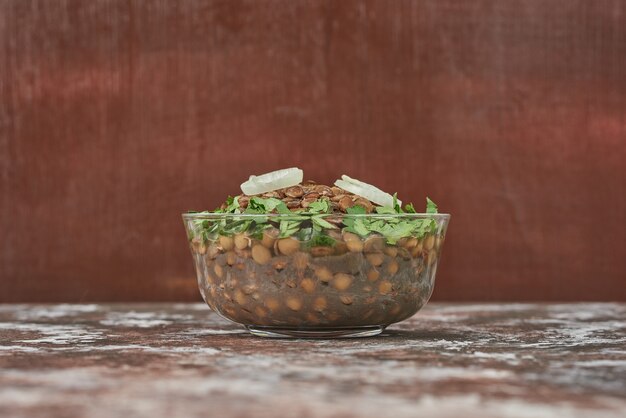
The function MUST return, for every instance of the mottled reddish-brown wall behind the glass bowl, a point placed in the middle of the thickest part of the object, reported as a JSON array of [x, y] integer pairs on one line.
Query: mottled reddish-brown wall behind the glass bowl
[[116, 116]]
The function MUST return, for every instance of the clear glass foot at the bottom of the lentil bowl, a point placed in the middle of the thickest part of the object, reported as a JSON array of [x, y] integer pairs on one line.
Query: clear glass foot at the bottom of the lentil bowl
[[275, 332]]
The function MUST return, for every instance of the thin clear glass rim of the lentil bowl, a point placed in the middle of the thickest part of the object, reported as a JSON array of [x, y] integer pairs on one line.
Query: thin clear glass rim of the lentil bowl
[[204, 215]]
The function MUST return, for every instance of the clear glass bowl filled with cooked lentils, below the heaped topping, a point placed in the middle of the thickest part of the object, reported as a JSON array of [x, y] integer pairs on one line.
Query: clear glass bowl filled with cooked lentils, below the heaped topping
[[318, 282]]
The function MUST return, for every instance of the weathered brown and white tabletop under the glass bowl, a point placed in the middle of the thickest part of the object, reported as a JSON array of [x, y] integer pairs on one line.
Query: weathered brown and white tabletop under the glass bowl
[[450, 360]]
